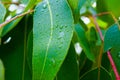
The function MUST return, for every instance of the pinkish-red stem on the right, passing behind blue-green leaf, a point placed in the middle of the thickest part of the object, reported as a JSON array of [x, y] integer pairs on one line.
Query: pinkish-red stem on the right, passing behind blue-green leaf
[[108, 52]]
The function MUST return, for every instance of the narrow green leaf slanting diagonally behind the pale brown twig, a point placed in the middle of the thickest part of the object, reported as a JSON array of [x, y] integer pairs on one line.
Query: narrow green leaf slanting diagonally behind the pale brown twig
[[12, 24]]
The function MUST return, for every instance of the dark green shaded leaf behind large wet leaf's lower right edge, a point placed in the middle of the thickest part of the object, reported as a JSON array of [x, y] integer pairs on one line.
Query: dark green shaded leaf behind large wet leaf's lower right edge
[[69, 69]]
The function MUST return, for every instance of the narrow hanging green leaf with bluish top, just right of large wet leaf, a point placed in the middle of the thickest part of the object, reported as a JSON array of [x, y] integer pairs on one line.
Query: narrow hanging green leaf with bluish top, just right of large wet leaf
[[83, 42]]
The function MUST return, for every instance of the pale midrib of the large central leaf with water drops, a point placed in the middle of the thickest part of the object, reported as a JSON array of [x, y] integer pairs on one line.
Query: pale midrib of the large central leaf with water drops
[[51, 33]]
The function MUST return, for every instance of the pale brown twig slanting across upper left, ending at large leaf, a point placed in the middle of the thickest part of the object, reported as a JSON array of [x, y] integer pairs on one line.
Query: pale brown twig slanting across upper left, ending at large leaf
[[14, 18]]
